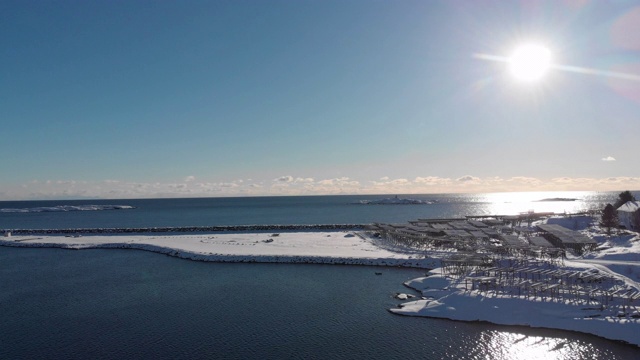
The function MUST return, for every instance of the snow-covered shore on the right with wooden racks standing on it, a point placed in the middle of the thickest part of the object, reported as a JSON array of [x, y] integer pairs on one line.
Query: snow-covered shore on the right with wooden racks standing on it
[[596, 293]]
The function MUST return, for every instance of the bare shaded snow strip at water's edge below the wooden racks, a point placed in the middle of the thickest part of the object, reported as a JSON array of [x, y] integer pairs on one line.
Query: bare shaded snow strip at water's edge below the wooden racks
[[449, 300]]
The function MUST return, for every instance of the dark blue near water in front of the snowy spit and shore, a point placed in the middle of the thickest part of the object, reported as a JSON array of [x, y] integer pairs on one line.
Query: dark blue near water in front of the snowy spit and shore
[[132, 304]]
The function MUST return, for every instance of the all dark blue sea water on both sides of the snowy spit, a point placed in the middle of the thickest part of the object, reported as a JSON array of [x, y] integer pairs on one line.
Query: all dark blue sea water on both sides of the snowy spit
[[118, 304]]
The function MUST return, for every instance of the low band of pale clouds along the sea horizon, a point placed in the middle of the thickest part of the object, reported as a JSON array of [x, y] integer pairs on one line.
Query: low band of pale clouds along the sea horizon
[[288, 185]]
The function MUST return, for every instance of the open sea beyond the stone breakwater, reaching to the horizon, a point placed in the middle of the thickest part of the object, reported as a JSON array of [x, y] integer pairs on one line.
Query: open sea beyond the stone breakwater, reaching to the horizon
[[286, 210]]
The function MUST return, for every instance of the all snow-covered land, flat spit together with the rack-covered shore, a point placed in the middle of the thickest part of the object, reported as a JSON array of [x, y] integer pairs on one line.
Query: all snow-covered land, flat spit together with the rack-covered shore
[[597, 292]]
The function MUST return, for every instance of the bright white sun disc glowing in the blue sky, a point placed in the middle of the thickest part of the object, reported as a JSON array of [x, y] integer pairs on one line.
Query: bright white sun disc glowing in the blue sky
[[530, 62]]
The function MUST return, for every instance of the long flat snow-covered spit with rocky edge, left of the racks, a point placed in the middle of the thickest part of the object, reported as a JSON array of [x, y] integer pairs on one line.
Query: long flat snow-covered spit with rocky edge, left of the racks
[[302, 247]]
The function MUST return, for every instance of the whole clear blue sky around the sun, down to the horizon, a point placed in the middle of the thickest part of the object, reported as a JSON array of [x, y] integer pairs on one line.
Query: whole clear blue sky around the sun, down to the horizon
[[121, 99]]
